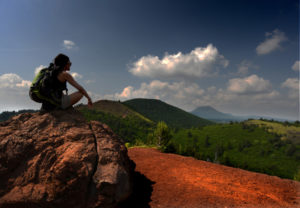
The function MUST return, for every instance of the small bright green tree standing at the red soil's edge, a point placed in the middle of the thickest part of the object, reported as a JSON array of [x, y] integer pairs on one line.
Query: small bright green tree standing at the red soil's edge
[[162, 134]]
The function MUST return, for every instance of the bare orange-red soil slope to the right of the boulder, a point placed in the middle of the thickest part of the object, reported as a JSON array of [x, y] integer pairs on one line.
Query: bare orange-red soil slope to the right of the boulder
[[170, 181]]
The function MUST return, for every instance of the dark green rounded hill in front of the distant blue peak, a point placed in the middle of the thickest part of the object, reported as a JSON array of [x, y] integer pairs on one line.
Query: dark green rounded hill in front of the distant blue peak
[[157, 110]]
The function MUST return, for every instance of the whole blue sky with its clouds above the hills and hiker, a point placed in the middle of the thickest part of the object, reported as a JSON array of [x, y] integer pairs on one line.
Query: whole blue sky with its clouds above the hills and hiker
[[241, 57]]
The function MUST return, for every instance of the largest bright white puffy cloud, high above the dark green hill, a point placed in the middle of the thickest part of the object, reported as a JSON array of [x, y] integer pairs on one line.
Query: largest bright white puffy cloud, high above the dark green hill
[[200, 62]]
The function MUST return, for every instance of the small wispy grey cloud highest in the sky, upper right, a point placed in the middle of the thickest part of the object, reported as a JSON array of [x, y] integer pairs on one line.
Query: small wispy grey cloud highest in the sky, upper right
[[271, 43]]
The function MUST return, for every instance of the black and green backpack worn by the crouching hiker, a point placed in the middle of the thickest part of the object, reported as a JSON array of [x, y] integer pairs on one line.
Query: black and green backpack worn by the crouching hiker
[[43, 87]]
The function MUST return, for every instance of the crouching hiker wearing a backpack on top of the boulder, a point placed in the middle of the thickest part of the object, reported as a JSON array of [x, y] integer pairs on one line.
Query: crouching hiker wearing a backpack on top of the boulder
[[48, 86]]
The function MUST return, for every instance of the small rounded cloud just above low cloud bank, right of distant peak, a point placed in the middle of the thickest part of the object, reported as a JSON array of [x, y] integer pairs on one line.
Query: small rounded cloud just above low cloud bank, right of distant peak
[[248, 85]]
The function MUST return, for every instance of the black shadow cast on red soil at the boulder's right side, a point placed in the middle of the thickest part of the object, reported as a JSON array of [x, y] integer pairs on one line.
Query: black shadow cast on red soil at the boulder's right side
[[141, 195]]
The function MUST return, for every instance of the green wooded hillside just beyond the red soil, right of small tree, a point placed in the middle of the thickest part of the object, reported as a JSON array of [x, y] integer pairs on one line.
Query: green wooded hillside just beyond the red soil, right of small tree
[[243, 145]]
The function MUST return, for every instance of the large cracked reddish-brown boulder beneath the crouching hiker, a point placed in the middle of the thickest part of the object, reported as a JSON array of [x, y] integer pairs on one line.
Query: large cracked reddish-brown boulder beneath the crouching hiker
[[58, 159]]
